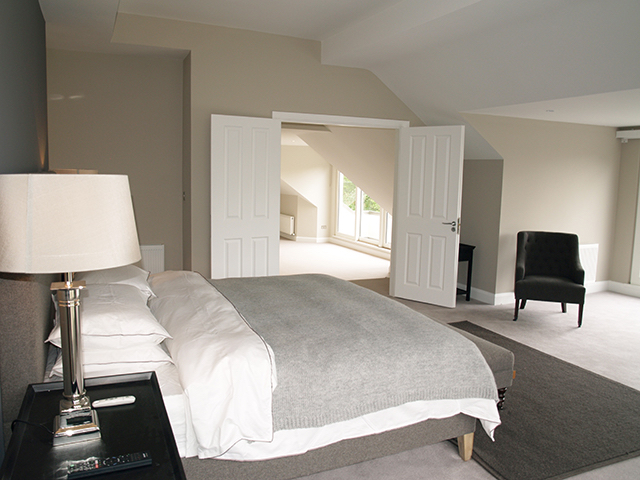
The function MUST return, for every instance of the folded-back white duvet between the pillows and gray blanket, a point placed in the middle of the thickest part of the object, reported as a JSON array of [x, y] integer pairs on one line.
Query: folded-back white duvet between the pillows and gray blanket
[[225, 368]]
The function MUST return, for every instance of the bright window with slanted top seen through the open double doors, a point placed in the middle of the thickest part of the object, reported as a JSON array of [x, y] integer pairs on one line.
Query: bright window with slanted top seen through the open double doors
[[359, 217]]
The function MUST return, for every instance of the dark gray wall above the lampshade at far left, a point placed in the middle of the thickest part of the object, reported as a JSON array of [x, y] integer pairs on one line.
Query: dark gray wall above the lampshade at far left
[[23, 87]]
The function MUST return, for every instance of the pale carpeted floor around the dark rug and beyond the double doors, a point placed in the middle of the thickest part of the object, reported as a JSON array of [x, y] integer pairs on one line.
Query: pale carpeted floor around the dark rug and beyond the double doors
[[608, 343]]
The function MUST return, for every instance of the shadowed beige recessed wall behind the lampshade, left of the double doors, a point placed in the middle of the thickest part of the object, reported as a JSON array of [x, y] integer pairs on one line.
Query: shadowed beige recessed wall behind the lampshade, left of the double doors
[[122, 114]]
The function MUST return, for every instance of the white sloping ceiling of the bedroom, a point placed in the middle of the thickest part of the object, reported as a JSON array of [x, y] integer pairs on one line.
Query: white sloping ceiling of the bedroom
[[572, 61]]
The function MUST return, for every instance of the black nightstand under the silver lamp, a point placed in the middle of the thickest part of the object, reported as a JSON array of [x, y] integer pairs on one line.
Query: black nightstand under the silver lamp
[[141, 426]]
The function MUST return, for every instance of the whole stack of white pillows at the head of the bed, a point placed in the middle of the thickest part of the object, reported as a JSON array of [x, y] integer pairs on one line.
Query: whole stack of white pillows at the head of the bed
[[119, 332]]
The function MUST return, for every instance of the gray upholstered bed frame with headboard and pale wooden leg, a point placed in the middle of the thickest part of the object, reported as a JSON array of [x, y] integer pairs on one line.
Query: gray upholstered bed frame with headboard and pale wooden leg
[[26, 320]]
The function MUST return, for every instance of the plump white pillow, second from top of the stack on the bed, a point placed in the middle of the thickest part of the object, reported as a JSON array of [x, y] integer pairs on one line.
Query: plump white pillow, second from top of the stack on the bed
[[115, 316]]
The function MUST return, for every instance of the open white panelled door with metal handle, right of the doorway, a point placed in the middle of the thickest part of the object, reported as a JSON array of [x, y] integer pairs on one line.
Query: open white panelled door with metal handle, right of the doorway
[[426, 217]]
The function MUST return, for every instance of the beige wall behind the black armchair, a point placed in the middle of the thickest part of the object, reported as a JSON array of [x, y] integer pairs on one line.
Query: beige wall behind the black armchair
[[557, 177]]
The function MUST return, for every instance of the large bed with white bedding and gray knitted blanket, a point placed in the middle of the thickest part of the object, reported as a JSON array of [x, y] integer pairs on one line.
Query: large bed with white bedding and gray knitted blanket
[[244, 326]]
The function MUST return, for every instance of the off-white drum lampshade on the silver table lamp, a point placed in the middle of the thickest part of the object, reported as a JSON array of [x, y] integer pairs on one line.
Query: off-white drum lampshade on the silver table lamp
[[66, 223]]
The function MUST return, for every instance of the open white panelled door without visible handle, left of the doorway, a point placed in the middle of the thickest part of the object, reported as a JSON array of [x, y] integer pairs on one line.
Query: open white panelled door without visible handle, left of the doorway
[[245, 196]]
